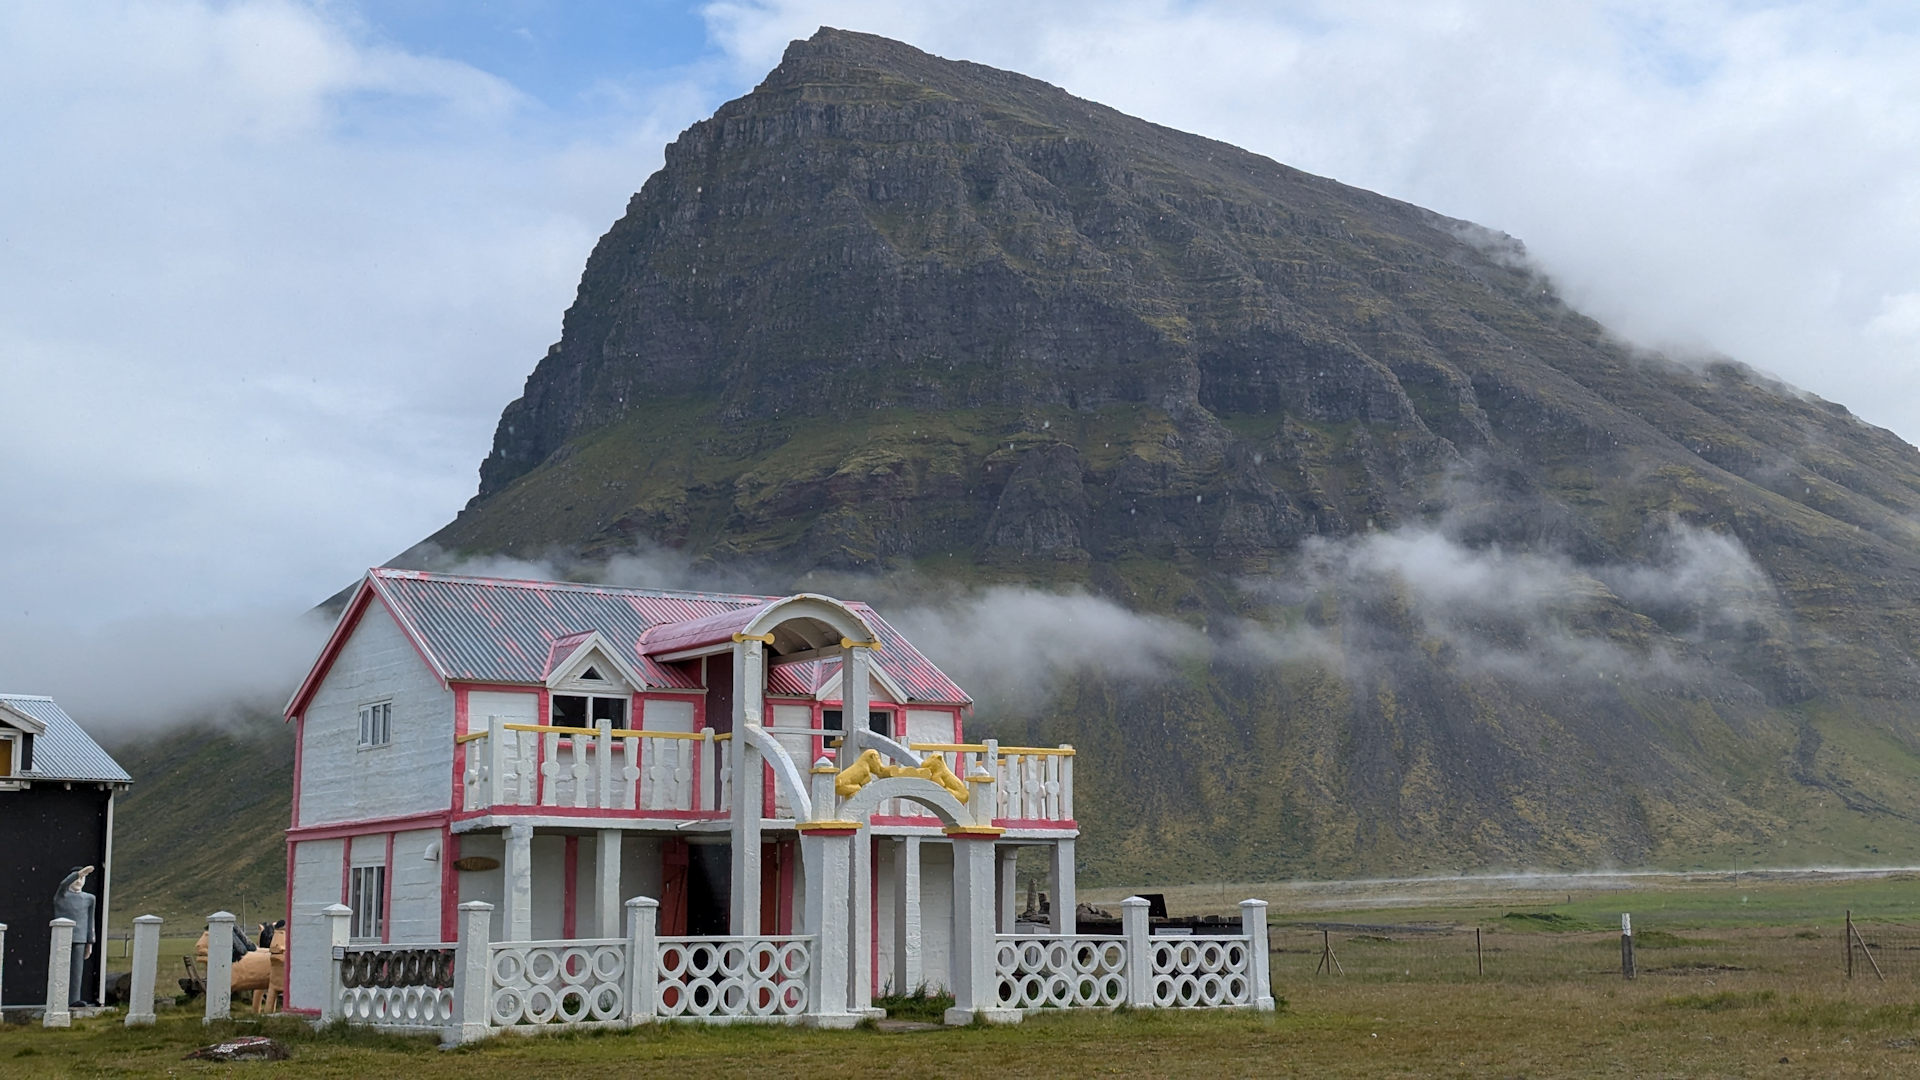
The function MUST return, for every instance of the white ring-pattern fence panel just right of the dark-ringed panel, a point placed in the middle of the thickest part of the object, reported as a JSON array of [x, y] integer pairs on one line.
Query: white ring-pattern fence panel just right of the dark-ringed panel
[[558, 983]]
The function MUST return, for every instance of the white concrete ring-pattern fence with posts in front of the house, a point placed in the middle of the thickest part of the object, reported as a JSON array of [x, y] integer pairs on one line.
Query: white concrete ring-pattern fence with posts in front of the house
[[475, 987]]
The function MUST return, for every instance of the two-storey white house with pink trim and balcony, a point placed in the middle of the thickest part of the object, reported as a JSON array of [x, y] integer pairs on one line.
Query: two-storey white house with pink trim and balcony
[[556, 749]]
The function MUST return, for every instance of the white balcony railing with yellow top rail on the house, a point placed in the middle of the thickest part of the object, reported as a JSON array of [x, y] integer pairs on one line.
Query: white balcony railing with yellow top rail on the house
[[527, 770]]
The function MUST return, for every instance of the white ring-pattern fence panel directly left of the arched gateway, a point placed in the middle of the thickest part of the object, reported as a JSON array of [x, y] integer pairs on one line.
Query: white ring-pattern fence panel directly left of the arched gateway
[[734, 977]]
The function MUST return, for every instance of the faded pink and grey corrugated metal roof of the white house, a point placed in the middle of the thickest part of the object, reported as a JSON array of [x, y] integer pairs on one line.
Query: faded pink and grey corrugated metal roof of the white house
[[504, 631]]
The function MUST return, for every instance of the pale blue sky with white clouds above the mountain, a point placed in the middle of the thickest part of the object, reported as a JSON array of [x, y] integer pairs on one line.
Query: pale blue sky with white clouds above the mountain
[[270, 268]]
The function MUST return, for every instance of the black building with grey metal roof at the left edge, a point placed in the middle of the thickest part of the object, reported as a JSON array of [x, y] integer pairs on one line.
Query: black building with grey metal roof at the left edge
[[57, 814]]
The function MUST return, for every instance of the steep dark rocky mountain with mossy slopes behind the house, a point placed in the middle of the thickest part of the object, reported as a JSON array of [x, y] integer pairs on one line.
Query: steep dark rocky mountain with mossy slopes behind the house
[[894, 312]]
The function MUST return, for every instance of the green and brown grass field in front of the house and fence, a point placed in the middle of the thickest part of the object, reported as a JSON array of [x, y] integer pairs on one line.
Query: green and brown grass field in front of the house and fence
[[1737, 979]]
